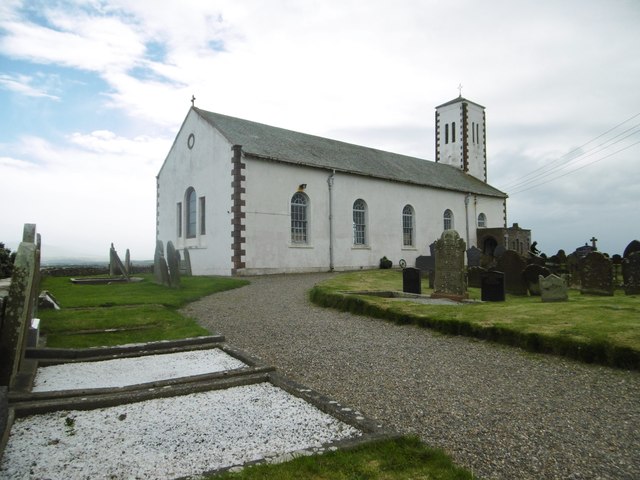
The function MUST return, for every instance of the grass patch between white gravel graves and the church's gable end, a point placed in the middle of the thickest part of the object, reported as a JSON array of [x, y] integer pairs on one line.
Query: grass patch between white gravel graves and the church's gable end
[[121, 313]]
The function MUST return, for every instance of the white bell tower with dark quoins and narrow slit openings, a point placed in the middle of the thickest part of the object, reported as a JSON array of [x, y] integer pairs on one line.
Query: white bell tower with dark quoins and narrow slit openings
[[461, 136]]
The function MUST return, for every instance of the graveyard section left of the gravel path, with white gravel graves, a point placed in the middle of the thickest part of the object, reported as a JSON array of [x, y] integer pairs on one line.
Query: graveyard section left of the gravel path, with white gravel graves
[[105, 364]]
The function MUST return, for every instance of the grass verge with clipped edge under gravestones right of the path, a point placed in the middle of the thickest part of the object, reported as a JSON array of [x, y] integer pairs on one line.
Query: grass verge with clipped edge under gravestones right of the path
[[593, 329]]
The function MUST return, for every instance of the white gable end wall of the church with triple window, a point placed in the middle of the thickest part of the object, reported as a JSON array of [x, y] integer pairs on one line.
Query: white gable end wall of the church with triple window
[[205, 167]]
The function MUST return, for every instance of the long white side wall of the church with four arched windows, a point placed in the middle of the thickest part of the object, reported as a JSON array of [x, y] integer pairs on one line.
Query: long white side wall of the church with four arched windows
[[270, 186]]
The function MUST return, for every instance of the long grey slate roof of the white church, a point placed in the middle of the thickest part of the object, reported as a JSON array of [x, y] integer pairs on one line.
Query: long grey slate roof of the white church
[[278, 144]]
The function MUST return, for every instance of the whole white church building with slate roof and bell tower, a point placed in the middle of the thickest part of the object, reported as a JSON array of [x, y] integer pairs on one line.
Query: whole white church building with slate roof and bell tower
[[244, 198]]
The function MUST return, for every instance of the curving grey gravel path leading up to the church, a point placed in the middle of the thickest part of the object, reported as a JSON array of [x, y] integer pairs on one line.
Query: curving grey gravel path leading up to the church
[[501, 412]]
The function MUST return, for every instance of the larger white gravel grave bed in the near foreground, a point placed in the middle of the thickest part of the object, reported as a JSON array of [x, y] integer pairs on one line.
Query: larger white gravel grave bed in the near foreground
[[170, 437]]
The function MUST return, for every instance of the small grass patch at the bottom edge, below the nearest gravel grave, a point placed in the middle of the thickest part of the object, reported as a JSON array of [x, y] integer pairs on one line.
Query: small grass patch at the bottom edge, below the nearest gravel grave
[[397, 459]]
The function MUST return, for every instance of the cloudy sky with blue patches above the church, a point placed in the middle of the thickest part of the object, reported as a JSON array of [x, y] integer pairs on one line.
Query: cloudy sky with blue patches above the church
[[92, 93]]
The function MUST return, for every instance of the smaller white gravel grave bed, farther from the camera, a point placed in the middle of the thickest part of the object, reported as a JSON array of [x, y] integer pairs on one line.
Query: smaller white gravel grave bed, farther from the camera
[[132, 371]]
